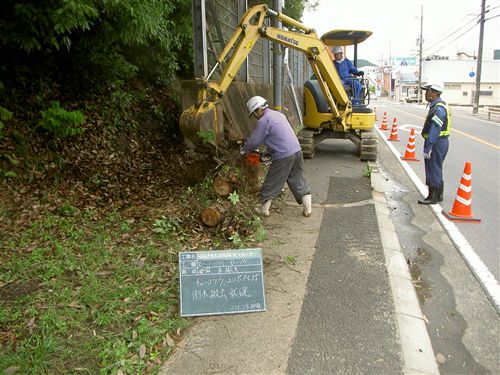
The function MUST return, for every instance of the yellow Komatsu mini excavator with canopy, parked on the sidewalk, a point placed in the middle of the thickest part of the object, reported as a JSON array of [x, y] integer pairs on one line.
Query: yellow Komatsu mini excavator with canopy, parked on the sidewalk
[[329, 112]]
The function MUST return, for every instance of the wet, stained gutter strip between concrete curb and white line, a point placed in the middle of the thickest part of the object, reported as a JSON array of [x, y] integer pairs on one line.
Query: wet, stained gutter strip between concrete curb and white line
[[462, 323]]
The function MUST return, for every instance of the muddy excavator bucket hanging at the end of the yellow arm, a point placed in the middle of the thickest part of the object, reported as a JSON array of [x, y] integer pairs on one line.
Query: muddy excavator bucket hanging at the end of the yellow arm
[[203, 126]]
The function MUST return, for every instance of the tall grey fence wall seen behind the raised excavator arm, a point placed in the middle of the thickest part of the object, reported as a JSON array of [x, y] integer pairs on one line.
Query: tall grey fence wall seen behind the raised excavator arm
[[214, 21]]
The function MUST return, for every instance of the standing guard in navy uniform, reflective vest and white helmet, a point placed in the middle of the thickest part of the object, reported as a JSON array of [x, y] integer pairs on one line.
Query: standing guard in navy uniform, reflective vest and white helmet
[[435, 132]]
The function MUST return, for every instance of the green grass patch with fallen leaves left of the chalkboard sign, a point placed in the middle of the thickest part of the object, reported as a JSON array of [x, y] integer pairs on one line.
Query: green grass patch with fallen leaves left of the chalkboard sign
[[86, 294]]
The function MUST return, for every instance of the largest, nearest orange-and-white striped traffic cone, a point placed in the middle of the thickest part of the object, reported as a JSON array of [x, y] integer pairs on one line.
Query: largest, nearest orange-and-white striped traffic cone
[[462, 207]]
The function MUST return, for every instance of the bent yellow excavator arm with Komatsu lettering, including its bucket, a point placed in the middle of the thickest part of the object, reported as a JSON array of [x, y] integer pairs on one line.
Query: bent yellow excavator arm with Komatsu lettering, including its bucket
[[206, 115]]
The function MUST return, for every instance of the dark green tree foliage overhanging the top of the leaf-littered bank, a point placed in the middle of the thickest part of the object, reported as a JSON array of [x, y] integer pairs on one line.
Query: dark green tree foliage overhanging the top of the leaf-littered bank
[[90, 44]]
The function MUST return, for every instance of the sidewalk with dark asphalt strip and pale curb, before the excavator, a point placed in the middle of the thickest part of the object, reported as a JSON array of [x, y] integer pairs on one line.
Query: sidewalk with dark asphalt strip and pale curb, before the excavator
[[347, 305]]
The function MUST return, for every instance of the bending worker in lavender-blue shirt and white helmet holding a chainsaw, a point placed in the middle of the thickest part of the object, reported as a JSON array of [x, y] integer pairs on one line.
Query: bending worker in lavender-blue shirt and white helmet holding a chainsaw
[[287, 166]]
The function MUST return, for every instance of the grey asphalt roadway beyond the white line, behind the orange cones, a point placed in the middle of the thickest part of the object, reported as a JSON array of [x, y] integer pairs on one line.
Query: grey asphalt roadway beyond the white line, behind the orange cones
[[473, 139]]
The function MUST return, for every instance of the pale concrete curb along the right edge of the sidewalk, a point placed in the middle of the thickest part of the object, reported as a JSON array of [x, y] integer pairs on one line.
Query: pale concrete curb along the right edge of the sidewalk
[[416, 345]]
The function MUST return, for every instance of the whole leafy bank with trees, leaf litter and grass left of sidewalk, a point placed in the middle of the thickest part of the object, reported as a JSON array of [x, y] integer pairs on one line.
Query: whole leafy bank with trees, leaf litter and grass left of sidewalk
[[97, 193]]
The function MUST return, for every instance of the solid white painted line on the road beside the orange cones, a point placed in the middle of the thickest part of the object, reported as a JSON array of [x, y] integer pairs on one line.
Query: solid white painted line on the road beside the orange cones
[[480, 271]]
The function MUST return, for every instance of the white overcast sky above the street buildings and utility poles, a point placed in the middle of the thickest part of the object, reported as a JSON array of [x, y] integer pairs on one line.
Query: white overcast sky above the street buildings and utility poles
[[396, 26]]
